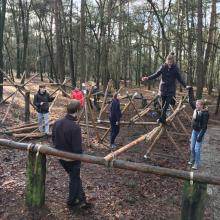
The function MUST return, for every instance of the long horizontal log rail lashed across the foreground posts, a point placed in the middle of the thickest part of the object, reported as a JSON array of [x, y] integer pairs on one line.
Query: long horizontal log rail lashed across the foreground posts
[[121, 164]]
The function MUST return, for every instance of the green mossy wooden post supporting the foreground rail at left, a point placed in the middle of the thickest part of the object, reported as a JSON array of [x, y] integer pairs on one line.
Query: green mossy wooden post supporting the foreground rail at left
[[36, 175]]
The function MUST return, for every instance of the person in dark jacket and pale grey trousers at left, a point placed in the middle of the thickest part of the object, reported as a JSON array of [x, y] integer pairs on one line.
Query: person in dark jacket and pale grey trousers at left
[[41, 101]]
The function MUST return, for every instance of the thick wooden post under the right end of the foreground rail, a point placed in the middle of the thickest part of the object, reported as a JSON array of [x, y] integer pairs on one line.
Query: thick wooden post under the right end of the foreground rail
[[193, 201]]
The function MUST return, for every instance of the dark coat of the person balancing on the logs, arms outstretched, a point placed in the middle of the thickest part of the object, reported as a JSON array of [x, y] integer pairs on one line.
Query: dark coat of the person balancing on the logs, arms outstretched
[[168, 79]]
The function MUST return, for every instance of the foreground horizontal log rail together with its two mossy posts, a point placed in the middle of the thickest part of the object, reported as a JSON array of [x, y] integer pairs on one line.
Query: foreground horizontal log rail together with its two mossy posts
[[193, 194]]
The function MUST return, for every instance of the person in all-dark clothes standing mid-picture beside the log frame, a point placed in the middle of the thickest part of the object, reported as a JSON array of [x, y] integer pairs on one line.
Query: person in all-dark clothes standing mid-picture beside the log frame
[[114, 117]]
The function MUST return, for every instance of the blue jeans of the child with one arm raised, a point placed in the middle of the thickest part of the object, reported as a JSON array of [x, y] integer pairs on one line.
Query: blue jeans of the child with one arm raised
[[195, 147]]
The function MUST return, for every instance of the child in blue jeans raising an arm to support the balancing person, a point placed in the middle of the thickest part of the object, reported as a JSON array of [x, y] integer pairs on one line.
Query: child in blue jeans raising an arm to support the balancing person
[[199, 127]]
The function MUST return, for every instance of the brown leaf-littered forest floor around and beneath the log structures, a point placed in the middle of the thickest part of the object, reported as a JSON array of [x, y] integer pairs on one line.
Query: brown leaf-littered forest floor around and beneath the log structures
[[114, 193]]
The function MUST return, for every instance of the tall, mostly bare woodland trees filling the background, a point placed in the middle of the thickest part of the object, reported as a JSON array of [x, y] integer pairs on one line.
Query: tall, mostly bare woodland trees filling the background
[[99, 40]]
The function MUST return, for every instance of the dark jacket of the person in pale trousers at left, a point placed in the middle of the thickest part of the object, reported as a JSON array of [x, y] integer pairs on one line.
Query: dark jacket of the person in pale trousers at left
[[45, 98]]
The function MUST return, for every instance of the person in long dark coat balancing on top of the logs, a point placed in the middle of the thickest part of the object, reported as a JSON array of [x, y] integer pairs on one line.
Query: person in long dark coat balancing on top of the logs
[[167, 90]]
